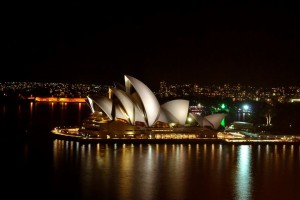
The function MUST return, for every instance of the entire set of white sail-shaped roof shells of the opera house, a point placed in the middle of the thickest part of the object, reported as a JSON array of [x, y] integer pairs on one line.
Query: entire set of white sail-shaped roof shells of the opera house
[[141, 105]]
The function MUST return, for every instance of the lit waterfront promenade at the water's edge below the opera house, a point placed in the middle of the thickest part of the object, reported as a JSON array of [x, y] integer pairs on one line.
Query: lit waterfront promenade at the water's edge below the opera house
[[73, 133]]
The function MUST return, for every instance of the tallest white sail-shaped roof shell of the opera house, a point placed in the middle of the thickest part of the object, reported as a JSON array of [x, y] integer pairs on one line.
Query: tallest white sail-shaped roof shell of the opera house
[[150, 103]]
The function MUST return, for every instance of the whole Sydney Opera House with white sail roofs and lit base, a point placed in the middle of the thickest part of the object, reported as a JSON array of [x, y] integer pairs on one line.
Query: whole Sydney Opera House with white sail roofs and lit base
[[133, 111]]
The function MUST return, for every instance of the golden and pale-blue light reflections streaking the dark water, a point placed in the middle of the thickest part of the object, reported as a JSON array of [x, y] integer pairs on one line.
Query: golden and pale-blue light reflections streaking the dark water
[[179, 171]]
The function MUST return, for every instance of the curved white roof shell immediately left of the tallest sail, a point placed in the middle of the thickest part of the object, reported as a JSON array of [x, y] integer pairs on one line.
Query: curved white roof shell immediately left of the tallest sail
[[127, 104]]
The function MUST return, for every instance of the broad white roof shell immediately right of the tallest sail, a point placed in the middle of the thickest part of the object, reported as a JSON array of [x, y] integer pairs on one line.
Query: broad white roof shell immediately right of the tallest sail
[[178, 108]]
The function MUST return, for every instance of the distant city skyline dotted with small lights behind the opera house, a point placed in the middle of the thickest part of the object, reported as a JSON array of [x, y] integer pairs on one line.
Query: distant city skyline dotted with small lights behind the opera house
[[235, 92]]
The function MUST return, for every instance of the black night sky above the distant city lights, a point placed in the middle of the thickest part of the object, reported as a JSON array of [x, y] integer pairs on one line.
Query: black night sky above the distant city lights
[[206, 43]]
